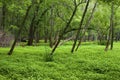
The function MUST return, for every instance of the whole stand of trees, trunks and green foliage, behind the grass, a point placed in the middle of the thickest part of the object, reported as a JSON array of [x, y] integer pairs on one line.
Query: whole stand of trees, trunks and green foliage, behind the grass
[[58, 21]]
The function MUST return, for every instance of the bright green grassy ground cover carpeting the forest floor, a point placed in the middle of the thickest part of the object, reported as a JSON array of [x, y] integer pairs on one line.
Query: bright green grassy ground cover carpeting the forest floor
[[90, 62]]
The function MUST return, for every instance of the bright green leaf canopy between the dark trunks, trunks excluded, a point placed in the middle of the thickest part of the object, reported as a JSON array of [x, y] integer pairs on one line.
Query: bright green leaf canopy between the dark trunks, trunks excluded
[[62, 10]]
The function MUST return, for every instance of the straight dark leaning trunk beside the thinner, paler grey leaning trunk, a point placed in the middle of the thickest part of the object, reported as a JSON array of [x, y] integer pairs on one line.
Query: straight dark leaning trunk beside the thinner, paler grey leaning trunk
[[79, 29]]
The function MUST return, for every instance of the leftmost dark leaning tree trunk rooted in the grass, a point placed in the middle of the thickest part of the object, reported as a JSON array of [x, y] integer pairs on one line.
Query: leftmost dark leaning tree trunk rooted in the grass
[[19, 31]]
